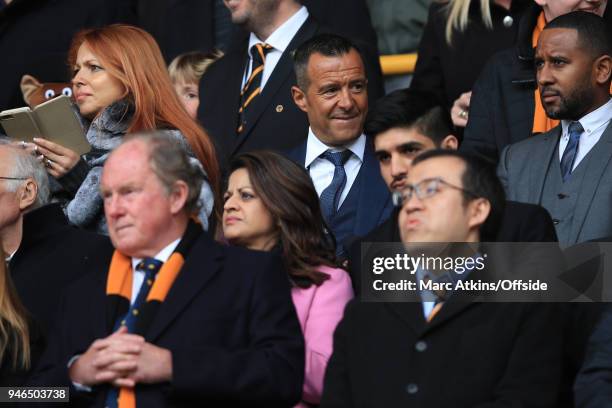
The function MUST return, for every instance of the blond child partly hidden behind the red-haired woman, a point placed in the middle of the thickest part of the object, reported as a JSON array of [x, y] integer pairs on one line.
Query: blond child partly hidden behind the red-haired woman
[[185, 71]]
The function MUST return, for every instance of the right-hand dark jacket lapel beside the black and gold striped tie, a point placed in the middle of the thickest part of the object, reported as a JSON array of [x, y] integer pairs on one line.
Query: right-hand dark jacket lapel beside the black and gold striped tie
[[282, 70]]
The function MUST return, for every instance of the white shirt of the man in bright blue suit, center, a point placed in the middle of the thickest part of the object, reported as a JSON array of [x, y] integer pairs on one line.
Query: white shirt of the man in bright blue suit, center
[[322, 170]]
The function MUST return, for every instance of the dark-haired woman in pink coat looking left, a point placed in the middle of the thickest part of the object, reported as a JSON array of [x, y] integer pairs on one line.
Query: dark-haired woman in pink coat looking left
[[272, 205]]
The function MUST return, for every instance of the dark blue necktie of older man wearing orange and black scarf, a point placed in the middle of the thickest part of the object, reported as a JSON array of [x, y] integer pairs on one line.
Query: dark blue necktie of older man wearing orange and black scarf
[[150, 266]]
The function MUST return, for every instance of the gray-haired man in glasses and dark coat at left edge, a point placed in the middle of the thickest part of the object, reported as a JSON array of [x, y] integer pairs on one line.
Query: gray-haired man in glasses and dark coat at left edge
[[45, 253]]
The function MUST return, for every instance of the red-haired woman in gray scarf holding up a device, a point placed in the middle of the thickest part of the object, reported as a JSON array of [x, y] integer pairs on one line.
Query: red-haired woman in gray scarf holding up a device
[[121, 86]]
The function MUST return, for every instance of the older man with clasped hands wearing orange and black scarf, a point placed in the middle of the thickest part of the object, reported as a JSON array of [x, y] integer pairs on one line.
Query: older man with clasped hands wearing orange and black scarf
[[155, 326]]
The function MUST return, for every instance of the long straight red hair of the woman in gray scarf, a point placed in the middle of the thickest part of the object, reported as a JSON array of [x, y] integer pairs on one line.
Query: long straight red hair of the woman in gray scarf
[[131, 55]]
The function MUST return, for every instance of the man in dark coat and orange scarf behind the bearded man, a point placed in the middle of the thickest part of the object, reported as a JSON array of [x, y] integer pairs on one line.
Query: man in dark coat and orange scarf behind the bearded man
[[503, 104]]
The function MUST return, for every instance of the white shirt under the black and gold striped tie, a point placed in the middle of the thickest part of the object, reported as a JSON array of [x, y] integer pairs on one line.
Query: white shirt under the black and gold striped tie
[[279, 40]]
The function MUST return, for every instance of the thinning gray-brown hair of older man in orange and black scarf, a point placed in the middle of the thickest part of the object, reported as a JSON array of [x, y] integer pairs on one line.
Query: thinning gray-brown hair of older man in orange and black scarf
[[170, 162]]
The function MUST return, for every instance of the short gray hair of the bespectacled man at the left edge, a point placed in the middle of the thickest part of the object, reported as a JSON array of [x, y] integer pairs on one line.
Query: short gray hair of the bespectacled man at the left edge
[[26, 166]]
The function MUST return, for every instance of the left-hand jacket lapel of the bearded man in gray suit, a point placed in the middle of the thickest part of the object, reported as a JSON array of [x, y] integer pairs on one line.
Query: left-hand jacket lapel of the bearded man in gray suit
[[538, 169]]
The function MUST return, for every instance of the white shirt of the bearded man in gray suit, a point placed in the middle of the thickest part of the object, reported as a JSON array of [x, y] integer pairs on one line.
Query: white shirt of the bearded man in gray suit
[[594, 124]]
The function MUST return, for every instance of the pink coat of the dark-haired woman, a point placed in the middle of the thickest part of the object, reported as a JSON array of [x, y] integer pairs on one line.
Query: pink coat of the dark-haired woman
[[319, 309]]
